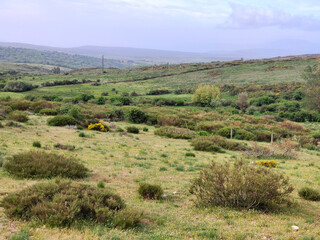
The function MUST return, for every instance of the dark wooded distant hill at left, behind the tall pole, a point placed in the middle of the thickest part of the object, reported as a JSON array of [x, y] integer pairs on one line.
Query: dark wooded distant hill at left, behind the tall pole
[[54, 58]]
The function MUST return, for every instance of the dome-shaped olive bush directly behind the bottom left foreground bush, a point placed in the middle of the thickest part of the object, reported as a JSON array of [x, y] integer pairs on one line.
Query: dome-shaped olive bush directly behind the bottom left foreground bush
[[39, 164]]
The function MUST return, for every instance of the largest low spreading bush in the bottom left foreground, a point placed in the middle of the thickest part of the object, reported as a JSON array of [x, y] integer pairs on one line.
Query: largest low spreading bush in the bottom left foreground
[[62, 203]]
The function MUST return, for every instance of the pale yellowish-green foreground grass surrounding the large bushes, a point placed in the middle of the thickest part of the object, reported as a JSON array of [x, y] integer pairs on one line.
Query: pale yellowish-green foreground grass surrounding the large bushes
[[119, 161]]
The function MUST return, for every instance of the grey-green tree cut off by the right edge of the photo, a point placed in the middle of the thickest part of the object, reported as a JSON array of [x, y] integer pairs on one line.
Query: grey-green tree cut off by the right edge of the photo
[[312, 77]]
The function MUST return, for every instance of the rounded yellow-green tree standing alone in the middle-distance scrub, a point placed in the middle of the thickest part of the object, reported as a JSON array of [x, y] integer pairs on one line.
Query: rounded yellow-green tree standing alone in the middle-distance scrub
[[206, 94]]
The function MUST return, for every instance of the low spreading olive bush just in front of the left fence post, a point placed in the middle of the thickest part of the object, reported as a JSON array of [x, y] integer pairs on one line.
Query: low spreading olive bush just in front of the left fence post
[[215, 143]]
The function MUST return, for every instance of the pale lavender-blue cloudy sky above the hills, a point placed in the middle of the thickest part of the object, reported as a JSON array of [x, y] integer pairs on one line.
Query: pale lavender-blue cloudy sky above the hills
[[184, 25]]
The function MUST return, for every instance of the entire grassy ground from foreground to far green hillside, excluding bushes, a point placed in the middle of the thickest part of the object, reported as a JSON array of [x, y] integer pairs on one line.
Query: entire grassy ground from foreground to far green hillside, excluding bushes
[[122, 160]]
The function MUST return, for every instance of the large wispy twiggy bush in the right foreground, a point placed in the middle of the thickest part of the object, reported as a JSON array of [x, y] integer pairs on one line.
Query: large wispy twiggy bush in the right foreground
[[240, 186]]
